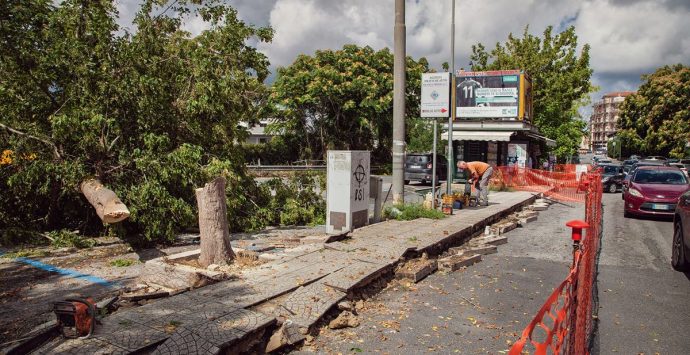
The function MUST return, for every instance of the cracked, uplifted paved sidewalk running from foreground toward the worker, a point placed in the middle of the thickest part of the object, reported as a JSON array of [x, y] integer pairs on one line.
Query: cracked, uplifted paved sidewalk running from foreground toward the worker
[[301, 286]]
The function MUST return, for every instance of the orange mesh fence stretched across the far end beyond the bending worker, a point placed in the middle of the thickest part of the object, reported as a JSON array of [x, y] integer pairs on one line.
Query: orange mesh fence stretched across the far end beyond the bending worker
[[565, 186]]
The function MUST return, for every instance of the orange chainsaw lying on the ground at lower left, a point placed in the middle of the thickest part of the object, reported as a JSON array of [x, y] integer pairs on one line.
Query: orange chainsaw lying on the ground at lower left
[[76, 317]]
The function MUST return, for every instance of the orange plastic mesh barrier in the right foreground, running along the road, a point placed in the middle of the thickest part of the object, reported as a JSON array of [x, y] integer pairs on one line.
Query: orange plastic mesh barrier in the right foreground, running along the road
[[564, 324]]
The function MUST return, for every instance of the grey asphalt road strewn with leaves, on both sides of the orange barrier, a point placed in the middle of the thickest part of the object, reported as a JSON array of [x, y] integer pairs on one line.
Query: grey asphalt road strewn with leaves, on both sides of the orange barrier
[[644, 304]]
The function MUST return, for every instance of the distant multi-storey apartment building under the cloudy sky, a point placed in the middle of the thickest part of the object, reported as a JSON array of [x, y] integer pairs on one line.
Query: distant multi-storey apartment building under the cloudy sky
[[604, 120]]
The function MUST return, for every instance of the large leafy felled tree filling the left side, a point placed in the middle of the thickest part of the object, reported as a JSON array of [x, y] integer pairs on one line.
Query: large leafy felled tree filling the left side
[[152, 114]]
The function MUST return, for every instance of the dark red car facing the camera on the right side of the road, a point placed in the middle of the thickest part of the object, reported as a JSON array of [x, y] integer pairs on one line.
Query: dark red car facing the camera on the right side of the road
[[654, 191]]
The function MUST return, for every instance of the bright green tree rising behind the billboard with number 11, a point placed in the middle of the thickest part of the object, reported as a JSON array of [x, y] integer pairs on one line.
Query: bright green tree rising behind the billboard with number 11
[[560, 79]]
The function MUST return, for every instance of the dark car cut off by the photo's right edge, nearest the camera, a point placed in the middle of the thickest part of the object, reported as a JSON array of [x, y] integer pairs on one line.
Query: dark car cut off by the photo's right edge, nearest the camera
[[680, 250]]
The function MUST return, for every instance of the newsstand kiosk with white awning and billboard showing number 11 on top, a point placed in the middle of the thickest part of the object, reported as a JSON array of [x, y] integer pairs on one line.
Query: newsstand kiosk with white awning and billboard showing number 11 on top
[[493, 120]]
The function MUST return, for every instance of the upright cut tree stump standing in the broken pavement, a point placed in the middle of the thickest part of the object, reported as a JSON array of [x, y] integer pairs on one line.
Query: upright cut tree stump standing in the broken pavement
[[213, 224]]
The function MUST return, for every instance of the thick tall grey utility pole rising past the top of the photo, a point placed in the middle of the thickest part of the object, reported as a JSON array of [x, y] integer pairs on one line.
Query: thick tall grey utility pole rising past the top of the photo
[[399, 102]]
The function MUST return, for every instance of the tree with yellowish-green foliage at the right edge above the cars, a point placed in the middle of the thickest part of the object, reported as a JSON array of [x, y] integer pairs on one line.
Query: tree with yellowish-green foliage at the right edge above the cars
[[656, 119]]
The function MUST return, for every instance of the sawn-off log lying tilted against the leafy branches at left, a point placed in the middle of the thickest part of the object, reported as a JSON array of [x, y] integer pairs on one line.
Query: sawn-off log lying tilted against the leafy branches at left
[[108, 206]]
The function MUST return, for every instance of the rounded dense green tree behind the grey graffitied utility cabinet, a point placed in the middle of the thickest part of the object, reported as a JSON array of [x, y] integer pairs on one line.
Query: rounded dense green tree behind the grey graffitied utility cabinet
[[343, 99]]
